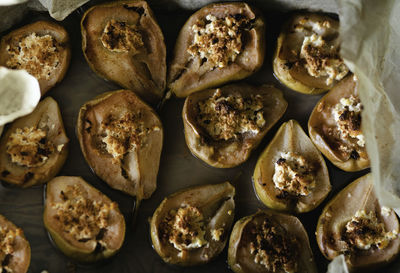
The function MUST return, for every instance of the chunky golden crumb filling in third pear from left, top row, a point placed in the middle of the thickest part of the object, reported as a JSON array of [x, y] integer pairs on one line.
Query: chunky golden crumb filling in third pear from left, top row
[[218, 41]]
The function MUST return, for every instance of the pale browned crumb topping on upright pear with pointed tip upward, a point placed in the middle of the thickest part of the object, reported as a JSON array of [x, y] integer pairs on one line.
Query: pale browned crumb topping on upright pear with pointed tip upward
[[294, 174]]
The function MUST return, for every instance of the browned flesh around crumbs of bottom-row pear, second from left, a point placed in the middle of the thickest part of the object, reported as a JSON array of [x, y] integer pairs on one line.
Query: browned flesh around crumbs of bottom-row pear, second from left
[[84, 252]]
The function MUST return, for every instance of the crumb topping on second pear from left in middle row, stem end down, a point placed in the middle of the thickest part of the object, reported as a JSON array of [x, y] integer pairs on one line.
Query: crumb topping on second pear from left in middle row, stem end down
[[123, 134]]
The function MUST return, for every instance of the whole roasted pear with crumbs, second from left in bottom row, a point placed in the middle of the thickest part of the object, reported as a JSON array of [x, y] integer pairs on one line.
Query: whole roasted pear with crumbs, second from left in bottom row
[[84, 223]]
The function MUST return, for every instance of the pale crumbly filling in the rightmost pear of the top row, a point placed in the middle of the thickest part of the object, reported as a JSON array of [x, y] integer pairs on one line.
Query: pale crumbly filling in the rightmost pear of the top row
[[318, 53]]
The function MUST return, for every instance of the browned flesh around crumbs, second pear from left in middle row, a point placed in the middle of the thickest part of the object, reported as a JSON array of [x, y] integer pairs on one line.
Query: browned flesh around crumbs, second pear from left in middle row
[[146, 159]]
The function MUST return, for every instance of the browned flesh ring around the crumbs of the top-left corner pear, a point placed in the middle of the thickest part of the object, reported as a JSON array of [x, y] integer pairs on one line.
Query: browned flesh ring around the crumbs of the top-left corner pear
[[41, 28]]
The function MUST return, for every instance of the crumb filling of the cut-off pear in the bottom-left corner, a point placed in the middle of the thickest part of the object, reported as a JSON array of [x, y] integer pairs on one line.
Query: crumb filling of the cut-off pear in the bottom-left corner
[[7, 243]]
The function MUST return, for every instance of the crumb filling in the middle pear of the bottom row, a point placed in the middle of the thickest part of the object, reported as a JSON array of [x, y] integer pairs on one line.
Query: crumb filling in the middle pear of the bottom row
[[185, 228]]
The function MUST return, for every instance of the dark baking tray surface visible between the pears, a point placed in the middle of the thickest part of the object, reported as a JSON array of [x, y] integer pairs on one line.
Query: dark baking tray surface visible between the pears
[[178, 167]]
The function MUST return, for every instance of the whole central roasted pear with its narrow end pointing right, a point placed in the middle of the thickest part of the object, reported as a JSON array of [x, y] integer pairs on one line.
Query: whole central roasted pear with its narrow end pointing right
[[223, 125]]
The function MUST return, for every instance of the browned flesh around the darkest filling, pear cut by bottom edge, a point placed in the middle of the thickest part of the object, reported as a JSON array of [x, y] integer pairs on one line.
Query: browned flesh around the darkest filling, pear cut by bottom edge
[[241, 260]]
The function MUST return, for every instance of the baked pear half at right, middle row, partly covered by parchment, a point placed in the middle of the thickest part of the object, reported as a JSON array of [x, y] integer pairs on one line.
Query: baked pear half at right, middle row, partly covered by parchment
[[335, 127]]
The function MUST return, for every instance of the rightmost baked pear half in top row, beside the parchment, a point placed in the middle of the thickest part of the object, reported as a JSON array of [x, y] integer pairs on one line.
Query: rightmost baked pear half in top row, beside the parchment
[[307, 57]]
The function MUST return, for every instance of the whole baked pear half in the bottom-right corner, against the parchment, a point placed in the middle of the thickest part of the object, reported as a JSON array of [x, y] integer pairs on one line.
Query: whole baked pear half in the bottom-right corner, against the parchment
[[354, 224]]
